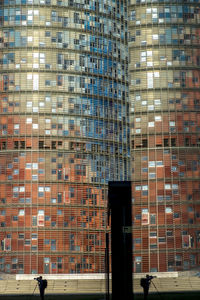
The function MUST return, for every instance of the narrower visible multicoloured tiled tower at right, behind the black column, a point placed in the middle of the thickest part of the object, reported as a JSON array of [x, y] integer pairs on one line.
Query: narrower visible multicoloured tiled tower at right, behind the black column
[[165, 133]]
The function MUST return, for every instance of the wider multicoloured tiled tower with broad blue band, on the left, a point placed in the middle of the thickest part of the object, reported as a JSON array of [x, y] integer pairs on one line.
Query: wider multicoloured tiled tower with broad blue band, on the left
[[63, 130]]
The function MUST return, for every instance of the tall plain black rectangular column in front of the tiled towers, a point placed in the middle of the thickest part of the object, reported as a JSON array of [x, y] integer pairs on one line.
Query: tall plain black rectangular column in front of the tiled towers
[[119, 197]]
